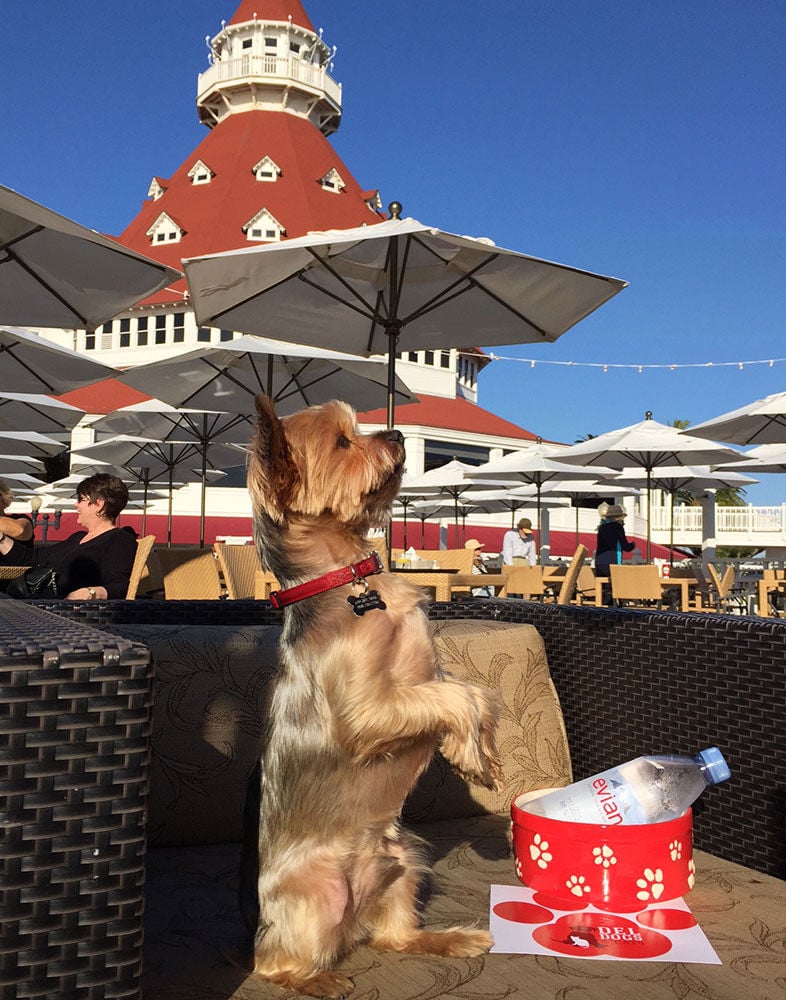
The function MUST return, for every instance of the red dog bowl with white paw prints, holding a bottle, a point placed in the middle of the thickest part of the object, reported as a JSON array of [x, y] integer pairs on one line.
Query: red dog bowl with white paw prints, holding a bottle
[[614, 867]]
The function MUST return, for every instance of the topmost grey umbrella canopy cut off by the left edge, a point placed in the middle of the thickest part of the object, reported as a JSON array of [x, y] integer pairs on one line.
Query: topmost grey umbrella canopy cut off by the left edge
[[56, 273]]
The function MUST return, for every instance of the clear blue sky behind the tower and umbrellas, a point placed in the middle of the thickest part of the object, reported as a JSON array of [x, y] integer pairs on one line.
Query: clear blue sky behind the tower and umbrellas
[[644, 141]]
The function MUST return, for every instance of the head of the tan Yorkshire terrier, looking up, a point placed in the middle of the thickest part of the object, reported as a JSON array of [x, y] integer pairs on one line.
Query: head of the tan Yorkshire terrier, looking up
[[317, 463]]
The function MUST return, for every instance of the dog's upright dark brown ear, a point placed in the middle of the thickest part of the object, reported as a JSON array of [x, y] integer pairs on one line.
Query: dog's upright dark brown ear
[[272, 475]]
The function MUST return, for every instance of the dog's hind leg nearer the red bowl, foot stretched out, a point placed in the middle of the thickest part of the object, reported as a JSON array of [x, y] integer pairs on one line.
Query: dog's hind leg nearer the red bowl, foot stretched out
[[395, 923]]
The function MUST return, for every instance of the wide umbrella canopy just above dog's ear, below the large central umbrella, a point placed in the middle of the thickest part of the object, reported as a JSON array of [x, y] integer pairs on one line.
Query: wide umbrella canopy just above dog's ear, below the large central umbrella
[[229, 376]]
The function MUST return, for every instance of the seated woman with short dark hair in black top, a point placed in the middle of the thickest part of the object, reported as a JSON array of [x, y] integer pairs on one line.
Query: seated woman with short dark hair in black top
[[95, 563]]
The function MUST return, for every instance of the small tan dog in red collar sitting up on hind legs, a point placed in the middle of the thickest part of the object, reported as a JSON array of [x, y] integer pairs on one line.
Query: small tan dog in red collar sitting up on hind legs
[[358, 710]]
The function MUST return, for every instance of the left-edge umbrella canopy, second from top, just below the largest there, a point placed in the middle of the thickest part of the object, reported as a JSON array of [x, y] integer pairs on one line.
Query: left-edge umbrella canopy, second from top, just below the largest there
[[30, 363]]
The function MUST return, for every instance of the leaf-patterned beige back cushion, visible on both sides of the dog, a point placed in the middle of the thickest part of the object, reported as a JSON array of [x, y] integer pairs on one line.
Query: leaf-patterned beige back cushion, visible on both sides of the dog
[[211, 689]]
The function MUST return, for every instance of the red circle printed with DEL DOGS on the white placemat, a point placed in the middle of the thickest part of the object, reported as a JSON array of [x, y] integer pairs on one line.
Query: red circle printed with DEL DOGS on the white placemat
[[601, 934]]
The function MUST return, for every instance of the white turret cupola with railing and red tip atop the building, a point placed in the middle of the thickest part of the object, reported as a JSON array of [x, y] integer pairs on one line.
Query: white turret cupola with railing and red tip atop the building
[[269, 58]]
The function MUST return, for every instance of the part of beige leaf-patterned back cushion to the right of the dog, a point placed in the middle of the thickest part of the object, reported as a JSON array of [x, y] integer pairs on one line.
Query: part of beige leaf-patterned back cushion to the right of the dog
[[531, 736]]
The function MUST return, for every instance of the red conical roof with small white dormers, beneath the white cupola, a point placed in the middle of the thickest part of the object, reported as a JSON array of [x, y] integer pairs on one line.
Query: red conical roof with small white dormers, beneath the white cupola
[[212, 215]]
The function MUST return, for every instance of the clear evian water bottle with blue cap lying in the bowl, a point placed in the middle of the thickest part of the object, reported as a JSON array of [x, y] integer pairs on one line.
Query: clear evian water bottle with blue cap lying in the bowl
[[644, 790]]
